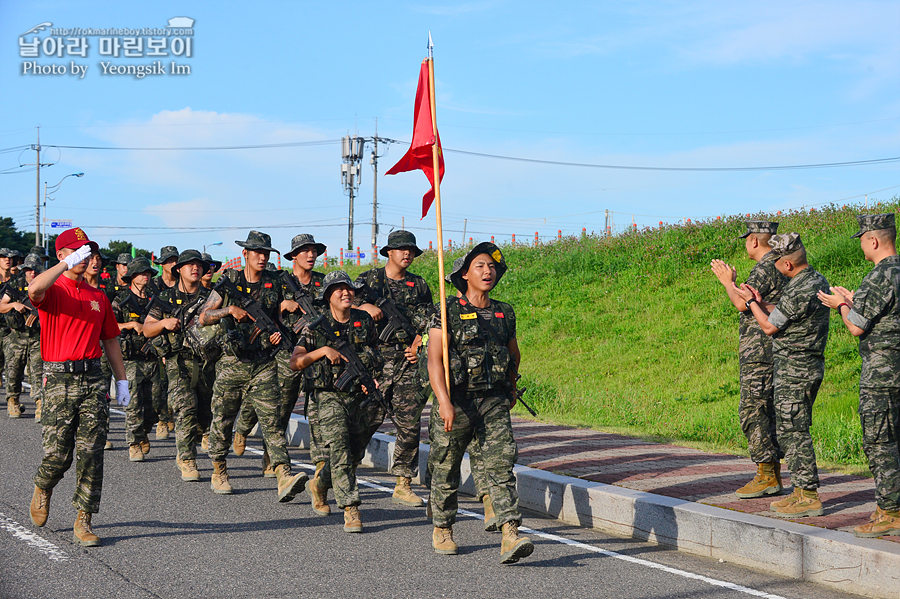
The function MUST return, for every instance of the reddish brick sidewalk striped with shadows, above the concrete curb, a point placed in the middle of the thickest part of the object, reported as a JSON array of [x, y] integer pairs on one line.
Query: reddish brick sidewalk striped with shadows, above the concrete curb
[[674, 471]]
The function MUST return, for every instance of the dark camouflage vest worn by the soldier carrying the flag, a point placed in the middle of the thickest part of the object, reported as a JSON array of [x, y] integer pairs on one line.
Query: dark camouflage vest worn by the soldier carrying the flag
[[484, 358]]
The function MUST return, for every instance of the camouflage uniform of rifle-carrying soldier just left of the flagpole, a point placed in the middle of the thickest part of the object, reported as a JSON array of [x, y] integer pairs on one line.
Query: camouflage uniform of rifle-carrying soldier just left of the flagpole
[[400, 383]]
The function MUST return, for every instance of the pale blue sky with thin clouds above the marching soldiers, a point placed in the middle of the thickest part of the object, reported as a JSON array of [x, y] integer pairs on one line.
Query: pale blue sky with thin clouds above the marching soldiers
[[661, 84]]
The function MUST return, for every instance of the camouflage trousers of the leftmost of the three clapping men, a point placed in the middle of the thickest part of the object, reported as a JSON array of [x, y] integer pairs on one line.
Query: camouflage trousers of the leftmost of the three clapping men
[[756, 413]]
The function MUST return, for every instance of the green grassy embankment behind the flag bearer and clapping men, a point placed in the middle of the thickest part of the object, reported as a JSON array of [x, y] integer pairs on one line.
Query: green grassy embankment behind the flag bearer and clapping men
[[634, 334]]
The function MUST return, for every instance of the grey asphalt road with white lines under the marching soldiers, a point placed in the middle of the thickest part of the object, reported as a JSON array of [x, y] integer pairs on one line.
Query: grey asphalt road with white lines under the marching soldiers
[[166, 538]]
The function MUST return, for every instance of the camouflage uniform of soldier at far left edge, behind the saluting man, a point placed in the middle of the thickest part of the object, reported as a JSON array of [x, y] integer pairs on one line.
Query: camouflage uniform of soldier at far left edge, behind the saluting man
[[22, 345]]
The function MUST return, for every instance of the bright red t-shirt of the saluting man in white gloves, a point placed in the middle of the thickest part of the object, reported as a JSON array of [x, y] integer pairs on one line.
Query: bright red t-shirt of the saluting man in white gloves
[[75, 317]]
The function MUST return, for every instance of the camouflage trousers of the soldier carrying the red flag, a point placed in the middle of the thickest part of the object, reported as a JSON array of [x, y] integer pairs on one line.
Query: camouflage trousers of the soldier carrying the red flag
[[485, 421]]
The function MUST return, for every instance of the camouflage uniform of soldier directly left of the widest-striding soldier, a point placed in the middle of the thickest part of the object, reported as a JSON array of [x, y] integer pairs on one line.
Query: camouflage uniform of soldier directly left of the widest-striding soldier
[[190, 378]]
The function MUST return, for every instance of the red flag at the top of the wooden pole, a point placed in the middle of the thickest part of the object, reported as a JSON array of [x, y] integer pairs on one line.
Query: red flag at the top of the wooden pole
[[419, 154]]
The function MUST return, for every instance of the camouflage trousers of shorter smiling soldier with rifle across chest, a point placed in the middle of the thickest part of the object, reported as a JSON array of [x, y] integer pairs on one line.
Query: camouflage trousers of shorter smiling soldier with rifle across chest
[[343, 428]]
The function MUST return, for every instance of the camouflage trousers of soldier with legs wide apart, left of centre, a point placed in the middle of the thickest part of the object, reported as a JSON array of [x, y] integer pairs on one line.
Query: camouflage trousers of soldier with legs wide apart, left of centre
[[255, 383]]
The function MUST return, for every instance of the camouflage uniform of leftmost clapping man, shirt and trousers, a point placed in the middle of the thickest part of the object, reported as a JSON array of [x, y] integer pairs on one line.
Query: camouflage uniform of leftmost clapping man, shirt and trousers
[[757, 410]]
